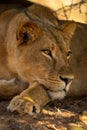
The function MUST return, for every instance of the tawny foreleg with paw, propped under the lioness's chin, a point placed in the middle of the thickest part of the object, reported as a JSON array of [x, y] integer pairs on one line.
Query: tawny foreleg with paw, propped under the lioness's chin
[[30, 100]]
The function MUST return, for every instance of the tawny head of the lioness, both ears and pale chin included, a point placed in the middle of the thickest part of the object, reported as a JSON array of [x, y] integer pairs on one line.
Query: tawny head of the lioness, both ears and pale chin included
[[40, 53]]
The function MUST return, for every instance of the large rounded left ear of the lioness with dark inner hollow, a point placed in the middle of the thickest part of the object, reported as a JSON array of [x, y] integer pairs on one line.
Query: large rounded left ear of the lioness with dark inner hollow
[[27, 32]]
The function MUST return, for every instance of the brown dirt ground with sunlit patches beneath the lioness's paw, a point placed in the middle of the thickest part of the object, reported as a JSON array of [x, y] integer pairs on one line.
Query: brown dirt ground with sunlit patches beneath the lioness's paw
[[67, 114]]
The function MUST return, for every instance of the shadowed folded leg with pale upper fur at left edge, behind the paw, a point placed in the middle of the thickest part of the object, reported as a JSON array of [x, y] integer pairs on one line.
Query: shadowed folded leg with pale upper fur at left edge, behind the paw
[[12, 87]]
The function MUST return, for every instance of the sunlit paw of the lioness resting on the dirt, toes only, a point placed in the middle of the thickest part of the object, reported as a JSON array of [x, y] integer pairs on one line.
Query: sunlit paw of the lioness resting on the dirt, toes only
[[21, 105]]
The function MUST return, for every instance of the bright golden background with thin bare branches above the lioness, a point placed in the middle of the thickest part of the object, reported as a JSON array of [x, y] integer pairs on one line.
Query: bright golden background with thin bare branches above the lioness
[[66, 9]]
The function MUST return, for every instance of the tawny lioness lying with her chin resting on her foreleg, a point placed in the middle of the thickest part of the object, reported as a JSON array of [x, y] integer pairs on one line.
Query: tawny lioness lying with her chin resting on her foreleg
[[34, 52]]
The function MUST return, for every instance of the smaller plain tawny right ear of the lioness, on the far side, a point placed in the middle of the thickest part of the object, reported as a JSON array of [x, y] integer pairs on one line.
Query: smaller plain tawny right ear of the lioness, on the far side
[[68, 29]]
